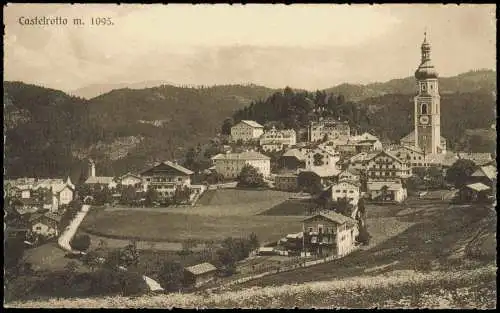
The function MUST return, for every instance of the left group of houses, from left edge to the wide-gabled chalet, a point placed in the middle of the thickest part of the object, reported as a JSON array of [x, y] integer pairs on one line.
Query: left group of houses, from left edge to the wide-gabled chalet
[[45, 200]]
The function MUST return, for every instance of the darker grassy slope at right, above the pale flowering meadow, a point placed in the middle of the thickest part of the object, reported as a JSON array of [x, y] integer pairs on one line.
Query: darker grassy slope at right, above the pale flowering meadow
[[427, 238]]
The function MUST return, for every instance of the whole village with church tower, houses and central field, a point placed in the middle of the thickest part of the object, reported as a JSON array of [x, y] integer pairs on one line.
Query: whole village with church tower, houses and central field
[[332, 176]]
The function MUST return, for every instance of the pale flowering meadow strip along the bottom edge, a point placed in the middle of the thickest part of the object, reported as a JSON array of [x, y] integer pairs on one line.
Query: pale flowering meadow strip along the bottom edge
[[403, 289]]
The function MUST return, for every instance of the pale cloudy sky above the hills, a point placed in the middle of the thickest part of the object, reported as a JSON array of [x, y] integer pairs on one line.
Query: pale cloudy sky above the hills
[[302, 46]]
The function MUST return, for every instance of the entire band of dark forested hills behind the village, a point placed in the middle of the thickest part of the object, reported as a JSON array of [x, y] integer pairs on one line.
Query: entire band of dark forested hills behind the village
[[49, 133]]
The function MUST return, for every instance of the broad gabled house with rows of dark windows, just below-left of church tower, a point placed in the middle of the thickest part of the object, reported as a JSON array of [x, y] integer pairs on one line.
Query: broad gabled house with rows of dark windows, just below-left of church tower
[[386, 167]]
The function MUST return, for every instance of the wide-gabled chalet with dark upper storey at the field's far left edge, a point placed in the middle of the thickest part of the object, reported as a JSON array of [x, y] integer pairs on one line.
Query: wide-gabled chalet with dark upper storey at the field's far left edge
[[166, 177]]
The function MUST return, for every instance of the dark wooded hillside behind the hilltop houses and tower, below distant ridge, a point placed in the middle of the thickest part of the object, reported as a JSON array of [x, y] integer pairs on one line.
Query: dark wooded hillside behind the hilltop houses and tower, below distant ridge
[[389, 116]]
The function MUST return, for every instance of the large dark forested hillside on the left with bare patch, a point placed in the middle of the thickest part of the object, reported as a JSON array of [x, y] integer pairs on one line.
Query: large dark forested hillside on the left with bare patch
[[48, 131]]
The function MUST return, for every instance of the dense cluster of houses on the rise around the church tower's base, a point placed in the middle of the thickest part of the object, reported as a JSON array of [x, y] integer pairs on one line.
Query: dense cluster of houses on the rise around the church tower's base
[[335, 159]]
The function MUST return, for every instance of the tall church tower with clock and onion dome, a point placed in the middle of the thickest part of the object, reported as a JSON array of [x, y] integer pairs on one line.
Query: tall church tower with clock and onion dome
[[427, 104]]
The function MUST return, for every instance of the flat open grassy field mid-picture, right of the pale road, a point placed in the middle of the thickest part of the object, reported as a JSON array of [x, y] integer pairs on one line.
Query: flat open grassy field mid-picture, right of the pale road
[[174, 227]]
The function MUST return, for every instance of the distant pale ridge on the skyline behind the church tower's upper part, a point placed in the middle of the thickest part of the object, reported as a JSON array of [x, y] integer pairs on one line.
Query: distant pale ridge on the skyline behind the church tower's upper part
[[467, 82]]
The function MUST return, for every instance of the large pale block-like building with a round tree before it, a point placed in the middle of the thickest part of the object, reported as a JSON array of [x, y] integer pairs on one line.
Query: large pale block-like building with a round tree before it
[[231, 164]]
